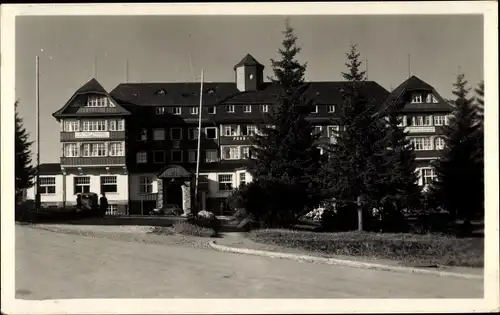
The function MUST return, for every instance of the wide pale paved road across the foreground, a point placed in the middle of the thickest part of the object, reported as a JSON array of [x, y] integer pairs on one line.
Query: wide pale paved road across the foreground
[[57, 266]]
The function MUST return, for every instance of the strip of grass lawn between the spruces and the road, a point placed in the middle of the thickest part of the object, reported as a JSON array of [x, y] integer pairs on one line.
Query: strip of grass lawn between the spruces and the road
[[409, 249]]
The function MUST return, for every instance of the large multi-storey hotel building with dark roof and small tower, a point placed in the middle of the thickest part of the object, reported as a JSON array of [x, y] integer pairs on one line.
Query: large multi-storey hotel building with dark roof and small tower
[[138, 143]]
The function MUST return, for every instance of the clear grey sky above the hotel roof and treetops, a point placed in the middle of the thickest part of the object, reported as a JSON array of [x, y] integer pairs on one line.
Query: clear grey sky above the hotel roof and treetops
[[176, 48]]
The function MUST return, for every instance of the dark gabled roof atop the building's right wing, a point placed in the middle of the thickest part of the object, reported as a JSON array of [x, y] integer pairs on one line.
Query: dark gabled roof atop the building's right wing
[[416, 84]]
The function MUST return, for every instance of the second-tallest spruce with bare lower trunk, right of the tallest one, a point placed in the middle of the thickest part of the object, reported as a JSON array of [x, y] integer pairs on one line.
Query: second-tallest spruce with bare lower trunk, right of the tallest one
[[356, 161]]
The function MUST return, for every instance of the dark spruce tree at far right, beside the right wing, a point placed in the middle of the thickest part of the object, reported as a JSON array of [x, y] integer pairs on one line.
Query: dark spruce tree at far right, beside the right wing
[[459, 185]]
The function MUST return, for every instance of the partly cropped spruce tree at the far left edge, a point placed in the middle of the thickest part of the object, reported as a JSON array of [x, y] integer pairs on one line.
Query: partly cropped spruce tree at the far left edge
[[24, 170]]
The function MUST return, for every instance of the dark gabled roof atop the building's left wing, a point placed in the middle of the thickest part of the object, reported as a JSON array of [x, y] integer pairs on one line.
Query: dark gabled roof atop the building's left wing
[[91, 87]]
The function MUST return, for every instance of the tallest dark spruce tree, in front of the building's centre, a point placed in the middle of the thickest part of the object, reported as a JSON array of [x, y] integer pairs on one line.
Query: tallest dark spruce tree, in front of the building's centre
[[285, 155]]
